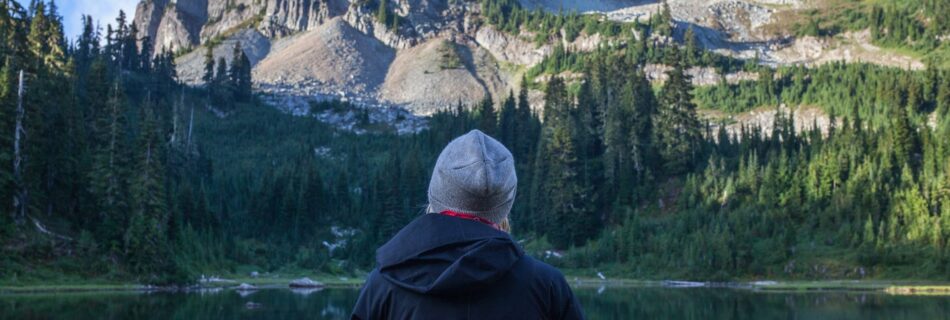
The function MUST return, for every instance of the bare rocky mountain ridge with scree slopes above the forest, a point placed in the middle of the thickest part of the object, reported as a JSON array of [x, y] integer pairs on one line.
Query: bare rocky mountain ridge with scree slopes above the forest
[[312, 50]]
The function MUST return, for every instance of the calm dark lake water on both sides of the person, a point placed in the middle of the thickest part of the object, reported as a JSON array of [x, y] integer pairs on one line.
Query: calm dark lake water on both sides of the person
[[608, 303]]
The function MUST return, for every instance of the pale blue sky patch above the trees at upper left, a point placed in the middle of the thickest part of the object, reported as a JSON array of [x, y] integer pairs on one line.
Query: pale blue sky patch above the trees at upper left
[[102, 11]]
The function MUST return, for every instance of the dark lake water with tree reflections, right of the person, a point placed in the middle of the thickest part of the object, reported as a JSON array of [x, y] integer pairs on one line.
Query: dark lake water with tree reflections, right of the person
[[722, 303]]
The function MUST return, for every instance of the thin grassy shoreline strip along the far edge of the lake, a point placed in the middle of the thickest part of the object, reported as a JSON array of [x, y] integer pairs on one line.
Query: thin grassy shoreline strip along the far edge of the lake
[[895, 287]]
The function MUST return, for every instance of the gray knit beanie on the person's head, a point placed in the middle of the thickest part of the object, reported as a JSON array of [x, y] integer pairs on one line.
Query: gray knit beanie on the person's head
[[475, 174]]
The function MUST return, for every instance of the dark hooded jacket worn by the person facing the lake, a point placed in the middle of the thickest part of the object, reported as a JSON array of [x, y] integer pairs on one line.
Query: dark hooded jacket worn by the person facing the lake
[[441, 267]]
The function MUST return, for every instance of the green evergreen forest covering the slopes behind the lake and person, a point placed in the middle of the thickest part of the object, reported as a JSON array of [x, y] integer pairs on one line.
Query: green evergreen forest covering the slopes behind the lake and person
[[113, 169]]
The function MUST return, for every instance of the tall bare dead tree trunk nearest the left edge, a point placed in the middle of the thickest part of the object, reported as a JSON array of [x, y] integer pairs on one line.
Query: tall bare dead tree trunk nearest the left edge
[[21, 195]]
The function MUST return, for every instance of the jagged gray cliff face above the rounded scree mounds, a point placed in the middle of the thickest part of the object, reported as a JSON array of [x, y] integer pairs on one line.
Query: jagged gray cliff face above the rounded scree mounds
[[184, 24]]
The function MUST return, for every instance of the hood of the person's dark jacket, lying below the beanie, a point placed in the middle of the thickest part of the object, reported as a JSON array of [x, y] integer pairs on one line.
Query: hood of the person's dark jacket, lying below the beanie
[[442, 255]]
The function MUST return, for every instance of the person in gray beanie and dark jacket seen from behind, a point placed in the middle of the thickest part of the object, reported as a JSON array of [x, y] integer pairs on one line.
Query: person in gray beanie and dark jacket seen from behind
[[458, 261]]
